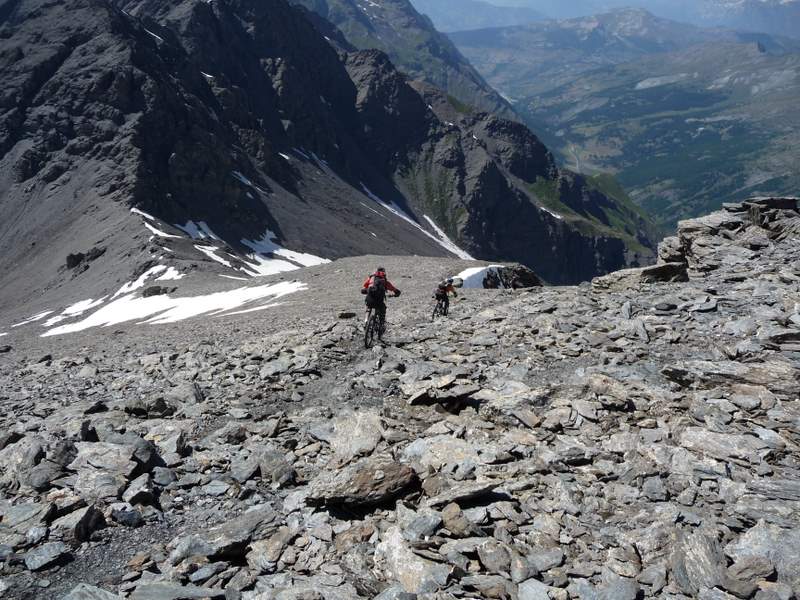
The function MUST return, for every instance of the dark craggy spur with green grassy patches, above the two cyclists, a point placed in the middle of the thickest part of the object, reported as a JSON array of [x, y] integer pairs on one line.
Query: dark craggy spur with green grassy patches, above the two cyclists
[[502, 179]]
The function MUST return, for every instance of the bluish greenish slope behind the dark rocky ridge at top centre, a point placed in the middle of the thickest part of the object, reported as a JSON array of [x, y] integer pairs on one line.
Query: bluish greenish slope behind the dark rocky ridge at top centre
[[413, 44]]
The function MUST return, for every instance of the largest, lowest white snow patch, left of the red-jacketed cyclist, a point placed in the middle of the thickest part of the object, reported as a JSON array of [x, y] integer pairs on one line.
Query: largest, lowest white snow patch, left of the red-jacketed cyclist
[[165, 309]]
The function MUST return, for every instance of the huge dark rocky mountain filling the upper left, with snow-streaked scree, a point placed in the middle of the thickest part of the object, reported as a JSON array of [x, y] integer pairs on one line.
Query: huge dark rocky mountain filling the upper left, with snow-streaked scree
[[251, 146]]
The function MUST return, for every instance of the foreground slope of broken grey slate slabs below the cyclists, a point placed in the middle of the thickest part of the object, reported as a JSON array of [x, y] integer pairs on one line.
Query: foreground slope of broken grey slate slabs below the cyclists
[[632, 438]]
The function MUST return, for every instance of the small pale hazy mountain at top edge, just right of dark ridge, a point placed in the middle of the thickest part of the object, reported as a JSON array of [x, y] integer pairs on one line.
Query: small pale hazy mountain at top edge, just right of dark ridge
[[461, 15]]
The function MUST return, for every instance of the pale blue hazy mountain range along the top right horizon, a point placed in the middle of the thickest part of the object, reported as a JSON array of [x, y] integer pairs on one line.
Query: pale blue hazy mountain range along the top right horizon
[[779, 17]]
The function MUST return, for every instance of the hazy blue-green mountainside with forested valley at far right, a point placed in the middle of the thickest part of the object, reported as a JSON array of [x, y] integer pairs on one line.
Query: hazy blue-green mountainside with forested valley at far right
[[682, 116]]
